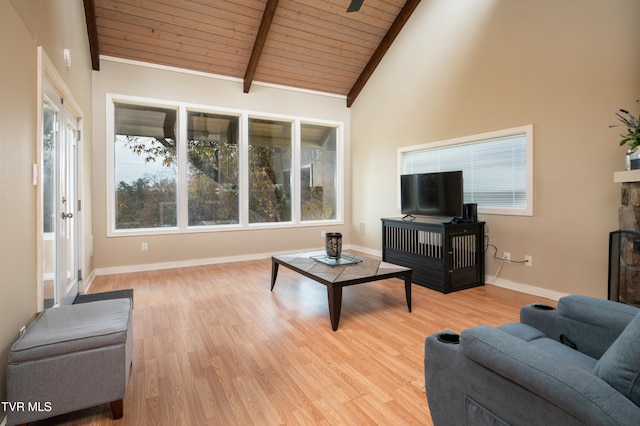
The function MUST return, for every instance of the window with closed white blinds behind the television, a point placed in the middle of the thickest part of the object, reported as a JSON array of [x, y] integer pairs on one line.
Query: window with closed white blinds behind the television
[[497, 168]]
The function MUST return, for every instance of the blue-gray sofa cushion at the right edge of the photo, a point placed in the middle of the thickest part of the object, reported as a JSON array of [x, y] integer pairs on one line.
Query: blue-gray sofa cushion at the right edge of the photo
[[620, 364]]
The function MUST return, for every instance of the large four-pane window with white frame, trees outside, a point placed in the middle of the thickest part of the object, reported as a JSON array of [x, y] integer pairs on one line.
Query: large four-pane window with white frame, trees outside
[[180, 168]]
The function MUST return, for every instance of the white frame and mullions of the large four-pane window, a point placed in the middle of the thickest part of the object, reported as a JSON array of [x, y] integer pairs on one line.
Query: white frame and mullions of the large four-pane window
[[182, 109]]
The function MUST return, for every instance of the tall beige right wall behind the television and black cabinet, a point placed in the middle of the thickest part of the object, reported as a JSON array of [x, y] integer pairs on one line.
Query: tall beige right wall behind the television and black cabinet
[[464, 67]]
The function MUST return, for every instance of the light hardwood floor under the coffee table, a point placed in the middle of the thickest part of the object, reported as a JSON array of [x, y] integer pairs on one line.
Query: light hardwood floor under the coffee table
[[213, 346]]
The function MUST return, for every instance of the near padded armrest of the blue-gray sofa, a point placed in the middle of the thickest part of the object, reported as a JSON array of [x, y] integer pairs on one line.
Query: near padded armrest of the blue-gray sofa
[[563, 384]]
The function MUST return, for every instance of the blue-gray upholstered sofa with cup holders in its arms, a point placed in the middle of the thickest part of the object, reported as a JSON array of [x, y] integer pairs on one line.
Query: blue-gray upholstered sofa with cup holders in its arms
[[575, 364]]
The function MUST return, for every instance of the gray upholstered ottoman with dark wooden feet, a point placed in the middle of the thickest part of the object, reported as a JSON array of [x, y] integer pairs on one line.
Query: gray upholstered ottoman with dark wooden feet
[[70, 358]]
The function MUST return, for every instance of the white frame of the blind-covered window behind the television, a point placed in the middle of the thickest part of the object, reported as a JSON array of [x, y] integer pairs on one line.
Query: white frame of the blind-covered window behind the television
[[526, 130]]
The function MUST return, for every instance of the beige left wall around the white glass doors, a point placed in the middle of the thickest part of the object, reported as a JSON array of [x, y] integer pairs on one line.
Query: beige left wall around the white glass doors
[[55, 25]]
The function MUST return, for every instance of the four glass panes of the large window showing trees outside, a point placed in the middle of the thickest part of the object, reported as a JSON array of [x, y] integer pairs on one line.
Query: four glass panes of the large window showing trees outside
[[147, 187]]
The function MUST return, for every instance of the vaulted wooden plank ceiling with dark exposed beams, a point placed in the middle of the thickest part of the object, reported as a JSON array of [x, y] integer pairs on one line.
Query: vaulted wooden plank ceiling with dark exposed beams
[[308, 44]]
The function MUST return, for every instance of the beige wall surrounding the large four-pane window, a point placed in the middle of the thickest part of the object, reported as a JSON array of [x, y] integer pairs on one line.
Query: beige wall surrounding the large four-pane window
[[113, 254]]
